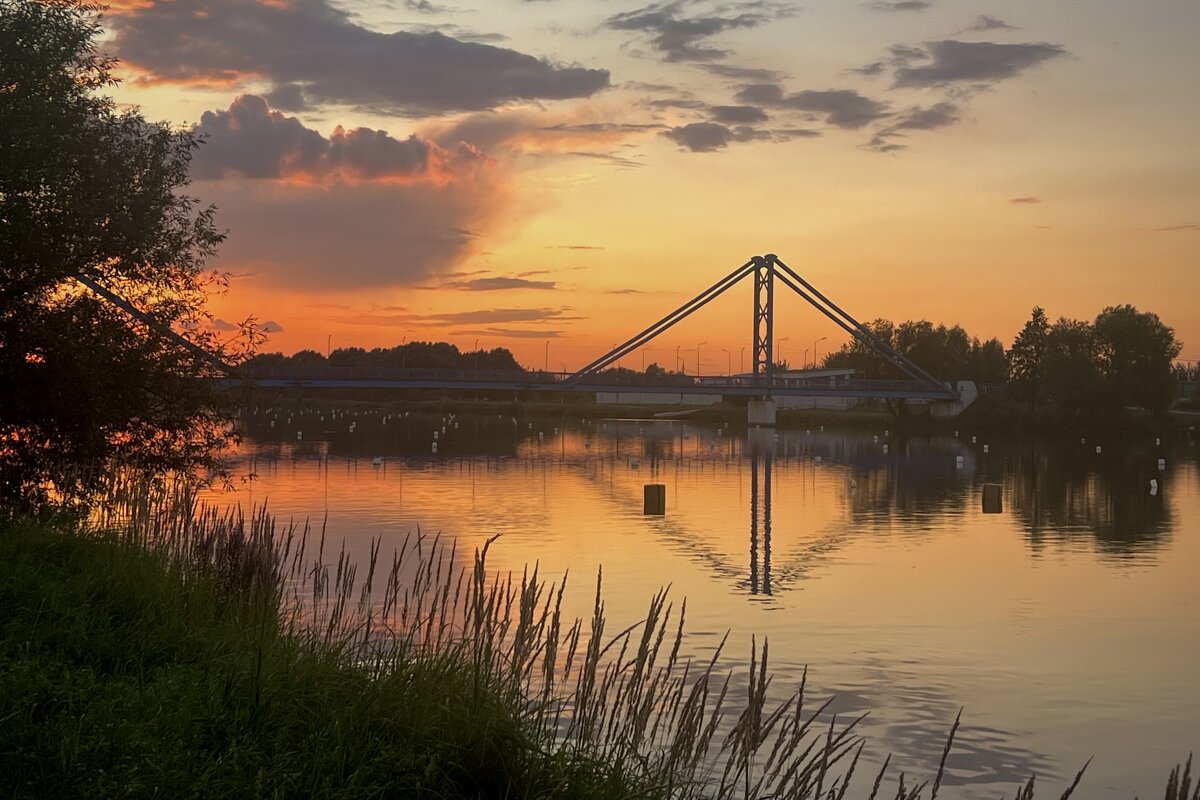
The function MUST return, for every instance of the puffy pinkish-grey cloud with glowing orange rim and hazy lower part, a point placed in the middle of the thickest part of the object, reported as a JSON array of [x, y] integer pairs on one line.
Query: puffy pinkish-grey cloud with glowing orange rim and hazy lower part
[[357, 209]]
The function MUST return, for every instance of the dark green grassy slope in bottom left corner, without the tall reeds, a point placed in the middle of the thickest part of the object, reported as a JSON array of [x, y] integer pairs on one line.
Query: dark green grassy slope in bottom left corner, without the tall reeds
[[127, 675]]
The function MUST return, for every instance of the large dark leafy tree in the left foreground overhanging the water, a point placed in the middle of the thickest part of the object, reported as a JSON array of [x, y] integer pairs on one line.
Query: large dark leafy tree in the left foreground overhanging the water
[[91, 193]]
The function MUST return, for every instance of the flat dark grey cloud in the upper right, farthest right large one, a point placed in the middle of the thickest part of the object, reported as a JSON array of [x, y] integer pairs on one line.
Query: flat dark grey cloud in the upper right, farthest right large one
[[956, 62]]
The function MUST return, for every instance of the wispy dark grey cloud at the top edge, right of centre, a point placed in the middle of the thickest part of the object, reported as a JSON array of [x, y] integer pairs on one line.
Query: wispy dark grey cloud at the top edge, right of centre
[[686, 39]]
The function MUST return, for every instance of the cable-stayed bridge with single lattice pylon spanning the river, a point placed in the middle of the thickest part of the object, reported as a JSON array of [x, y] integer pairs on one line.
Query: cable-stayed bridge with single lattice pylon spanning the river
[[761, 386]]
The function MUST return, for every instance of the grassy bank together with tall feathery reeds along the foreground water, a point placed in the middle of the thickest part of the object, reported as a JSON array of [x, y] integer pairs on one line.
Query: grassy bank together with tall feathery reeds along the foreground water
[[163, 649]]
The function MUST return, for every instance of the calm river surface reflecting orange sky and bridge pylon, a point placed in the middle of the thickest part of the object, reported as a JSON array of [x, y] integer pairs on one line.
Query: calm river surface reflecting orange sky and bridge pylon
[[1067, 627]]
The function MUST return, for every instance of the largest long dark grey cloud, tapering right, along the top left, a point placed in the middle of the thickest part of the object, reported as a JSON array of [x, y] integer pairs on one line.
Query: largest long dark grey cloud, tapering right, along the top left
[[313, 45]]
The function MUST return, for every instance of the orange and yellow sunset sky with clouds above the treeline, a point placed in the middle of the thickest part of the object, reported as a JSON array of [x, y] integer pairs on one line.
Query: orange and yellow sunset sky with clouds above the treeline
[[555, 176]]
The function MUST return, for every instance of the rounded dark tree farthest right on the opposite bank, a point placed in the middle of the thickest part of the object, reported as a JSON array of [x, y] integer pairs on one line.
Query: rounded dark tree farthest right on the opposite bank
[[1135, 352]]
